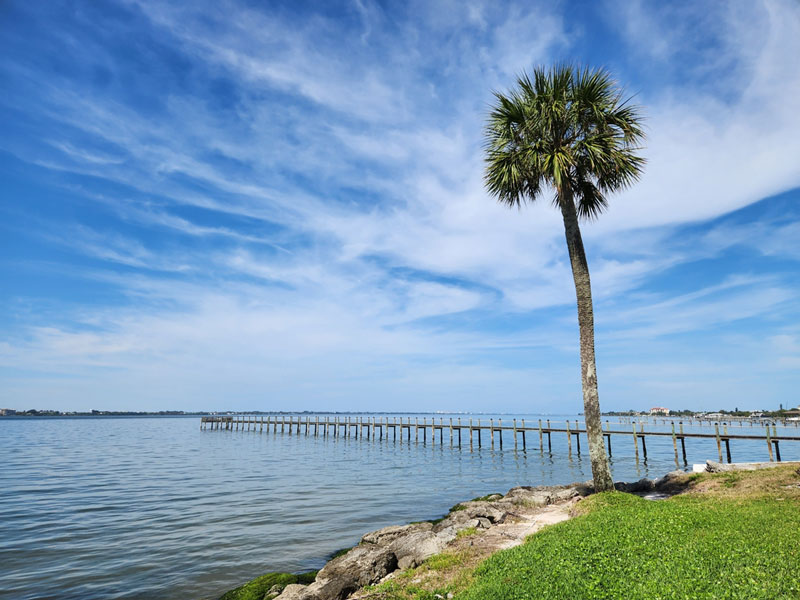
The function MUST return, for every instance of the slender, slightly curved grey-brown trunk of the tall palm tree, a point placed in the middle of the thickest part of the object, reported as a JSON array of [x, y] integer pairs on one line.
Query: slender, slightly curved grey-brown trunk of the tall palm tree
[[601, 473]]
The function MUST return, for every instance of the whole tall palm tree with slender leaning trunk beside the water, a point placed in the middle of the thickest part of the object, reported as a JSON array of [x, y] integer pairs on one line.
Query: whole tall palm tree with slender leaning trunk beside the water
[[567, 130]]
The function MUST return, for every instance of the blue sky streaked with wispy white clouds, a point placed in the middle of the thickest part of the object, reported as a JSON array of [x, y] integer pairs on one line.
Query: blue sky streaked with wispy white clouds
[[241, 205]]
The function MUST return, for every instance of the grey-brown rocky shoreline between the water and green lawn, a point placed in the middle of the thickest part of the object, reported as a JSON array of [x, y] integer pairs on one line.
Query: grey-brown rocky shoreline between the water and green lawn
[[496, 522]]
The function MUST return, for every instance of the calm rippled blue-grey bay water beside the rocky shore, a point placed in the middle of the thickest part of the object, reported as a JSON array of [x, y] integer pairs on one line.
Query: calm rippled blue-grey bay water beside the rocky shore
[[151, 508]]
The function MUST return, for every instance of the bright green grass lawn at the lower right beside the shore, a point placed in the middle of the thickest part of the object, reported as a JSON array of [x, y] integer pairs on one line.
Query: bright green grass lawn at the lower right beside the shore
[[732, 535]]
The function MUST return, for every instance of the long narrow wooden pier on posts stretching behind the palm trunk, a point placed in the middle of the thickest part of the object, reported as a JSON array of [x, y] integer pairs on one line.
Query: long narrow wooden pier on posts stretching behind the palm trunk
[[473, 432]]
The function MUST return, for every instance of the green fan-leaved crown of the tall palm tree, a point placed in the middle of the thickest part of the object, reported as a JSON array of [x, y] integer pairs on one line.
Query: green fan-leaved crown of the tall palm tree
[[568, 129]]
